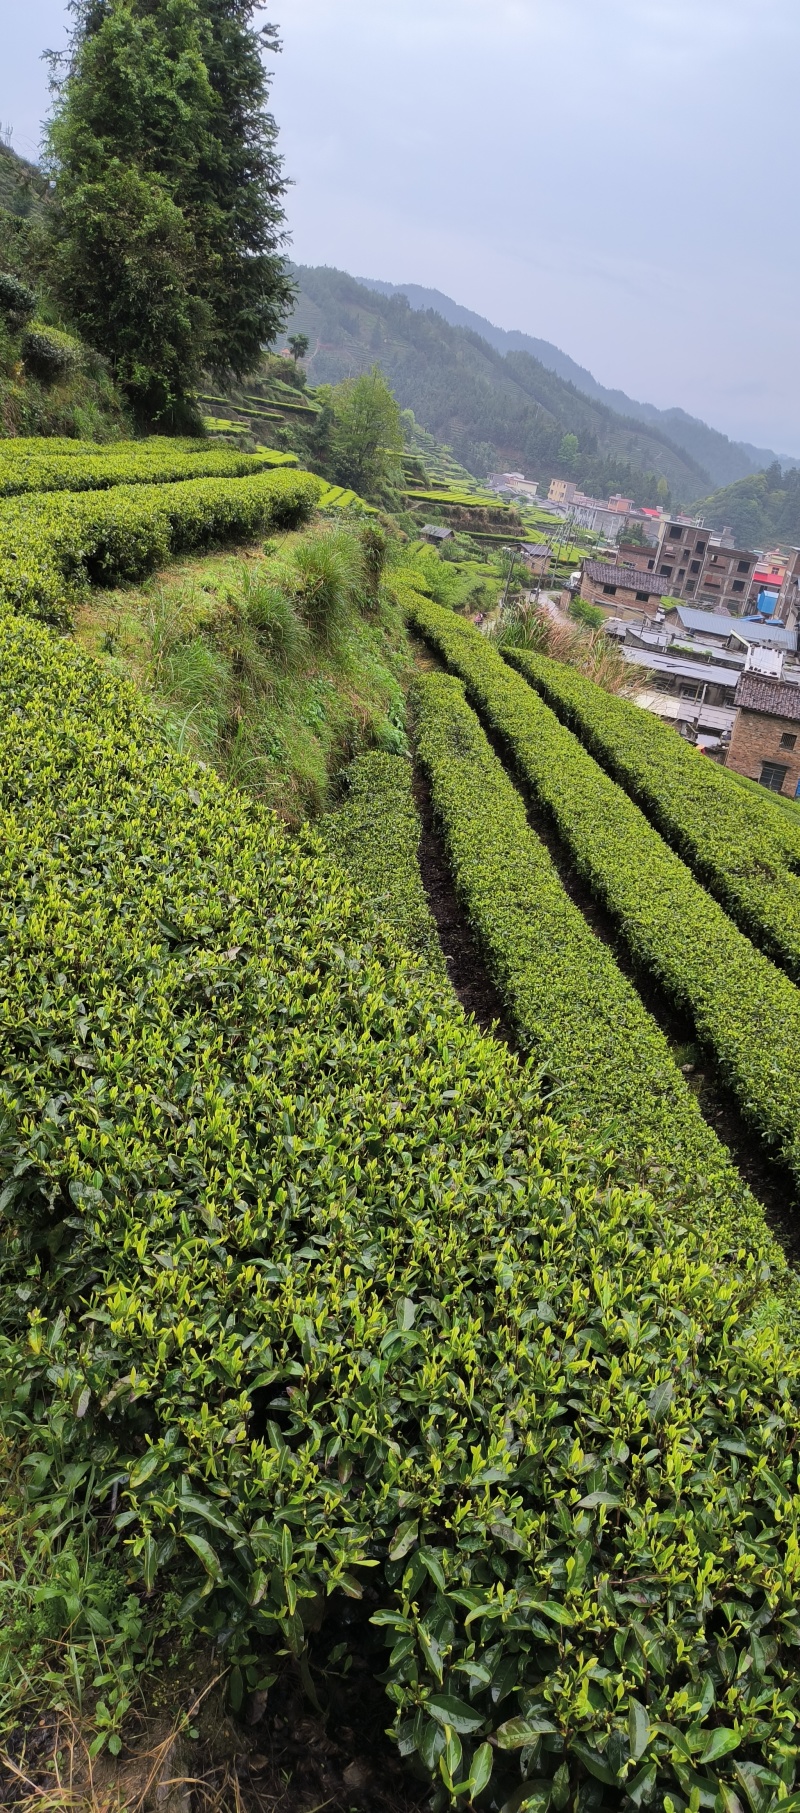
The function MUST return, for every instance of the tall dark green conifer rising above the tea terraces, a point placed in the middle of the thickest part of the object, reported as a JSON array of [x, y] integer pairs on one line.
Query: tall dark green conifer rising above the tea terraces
[[168, 220]]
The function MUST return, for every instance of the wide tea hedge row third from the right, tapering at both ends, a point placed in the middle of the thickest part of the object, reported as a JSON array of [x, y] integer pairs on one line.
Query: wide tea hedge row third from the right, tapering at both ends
[[603, 1054]]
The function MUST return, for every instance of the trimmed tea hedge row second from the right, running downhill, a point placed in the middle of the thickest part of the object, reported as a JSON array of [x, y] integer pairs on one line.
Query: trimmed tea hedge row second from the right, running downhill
[[743, 1009]]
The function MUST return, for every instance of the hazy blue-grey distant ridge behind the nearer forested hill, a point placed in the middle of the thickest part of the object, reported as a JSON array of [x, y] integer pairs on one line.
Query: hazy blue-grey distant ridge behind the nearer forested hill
[[723, 460]]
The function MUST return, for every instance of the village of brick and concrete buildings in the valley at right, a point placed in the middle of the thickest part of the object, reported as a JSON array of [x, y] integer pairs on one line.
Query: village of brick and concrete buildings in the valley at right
[[714, 628]]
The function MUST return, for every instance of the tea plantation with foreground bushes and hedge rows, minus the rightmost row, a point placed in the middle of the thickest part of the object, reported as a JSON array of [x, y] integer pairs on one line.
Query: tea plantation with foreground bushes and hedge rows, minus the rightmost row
[[313, 1294]]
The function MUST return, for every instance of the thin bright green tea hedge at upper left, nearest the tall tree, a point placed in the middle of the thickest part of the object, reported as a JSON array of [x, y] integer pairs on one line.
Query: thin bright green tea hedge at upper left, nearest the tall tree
[[155, 461]]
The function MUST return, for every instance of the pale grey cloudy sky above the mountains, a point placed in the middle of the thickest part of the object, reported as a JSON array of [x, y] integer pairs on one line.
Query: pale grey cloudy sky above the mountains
[[618, 179]]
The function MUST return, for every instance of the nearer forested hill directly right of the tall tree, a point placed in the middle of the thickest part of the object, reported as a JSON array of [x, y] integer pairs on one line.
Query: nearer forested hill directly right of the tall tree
[[496, 411]]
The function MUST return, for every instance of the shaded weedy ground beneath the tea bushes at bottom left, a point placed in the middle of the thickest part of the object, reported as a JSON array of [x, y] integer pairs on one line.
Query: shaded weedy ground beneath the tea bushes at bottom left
[[280, 1756]]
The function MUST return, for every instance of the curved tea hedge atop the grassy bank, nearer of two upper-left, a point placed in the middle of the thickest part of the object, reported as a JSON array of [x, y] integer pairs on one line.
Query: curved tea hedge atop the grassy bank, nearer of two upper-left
[[52, 545]]
